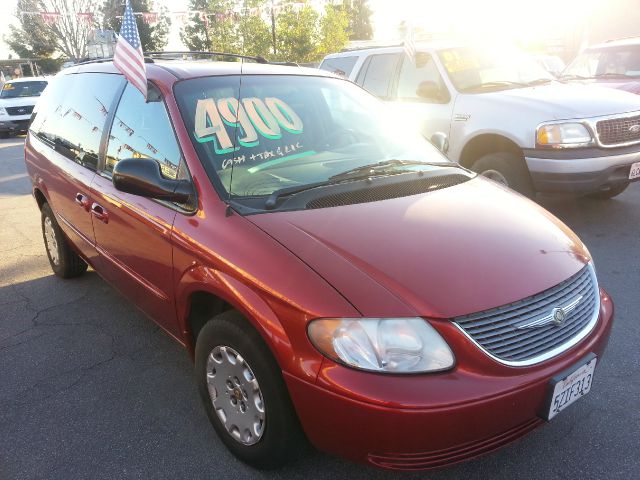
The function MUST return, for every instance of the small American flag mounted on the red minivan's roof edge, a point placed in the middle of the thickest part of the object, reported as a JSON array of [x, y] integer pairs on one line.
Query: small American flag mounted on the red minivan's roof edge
[[128, 56]]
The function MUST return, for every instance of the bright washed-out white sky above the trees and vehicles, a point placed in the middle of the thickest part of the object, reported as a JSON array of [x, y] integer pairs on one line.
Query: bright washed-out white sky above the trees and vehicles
[[522, 18]]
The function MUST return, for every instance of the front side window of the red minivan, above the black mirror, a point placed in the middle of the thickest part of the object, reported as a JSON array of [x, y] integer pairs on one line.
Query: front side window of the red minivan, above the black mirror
[[143, 130]]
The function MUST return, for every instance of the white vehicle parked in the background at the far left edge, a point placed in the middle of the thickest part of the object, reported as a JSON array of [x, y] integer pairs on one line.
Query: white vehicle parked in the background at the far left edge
[[17, 99]]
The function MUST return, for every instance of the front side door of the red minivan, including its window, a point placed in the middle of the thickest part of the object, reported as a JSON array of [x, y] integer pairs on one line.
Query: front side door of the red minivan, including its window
[[132, 232]]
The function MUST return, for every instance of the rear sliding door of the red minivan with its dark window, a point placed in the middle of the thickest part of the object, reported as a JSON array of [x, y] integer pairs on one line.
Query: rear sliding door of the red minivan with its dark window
[[66, 134]]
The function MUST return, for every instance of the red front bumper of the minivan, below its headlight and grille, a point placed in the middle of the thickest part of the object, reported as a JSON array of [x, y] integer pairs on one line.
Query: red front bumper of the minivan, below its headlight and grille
[[429, 421]]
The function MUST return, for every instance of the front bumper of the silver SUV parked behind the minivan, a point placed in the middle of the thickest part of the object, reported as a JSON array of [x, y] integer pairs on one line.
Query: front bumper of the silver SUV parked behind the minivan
[[580, 171]]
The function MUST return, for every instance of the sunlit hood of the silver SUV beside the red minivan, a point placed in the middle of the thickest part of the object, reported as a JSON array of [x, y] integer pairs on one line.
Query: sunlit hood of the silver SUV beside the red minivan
[[564, 101]]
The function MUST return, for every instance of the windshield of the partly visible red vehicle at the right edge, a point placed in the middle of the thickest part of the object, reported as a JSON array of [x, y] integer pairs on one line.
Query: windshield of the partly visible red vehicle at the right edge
[[618, 61]]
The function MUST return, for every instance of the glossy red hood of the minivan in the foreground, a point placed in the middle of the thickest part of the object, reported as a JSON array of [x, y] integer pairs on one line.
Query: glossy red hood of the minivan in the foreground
[[441, 254]]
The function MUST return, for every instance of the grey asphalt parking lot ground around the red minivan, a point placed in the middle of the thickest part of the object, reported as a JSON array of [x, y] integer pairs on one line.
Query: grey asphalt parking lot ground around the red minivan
[[90, 388]]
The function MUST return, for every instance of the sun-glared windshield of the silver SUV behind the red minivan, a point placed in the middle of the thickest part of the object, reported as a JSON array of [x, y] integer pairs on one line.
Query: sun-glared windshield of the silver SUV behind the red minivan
[[474, 69]]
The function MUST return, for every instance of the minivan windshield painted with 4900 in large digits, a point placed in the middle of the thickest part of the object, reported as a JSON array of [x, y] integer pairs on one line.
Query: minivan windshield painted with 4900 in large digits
[[292, 131]]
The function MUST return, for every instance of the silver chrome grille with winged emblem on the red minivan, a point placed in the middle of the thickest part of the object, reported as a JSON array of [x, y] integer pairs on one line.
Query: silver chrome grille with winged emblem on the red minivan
[[502, 331]]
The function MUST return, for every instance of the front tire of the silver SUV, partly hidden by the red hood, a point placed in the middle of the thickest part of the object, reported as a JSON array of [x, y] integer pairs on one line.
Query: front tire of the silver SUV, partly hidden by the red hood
[[507, 169]]
